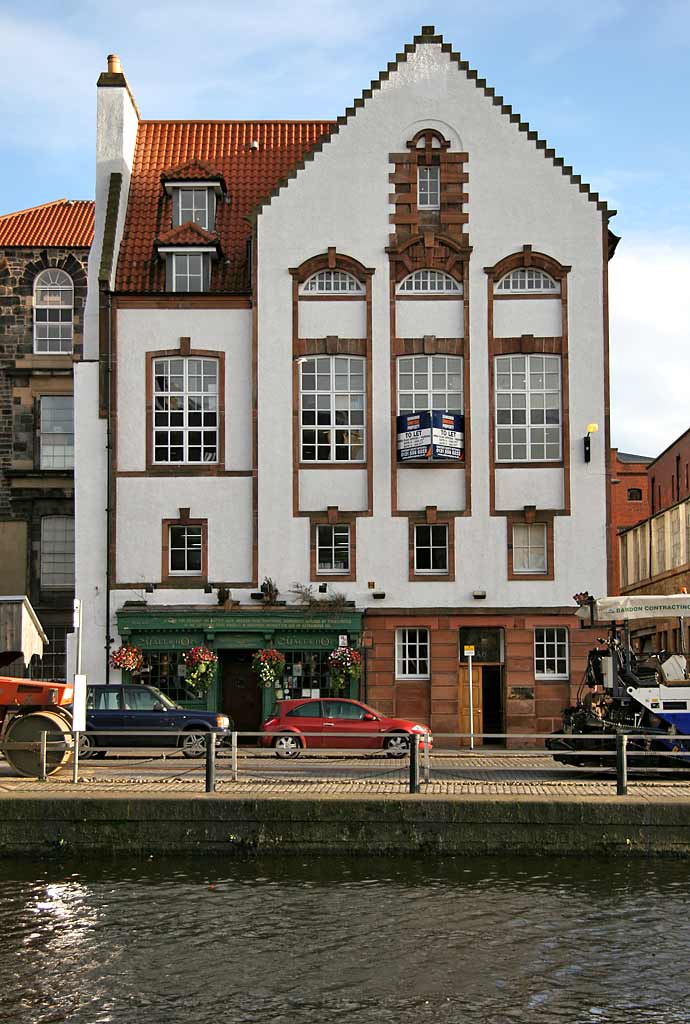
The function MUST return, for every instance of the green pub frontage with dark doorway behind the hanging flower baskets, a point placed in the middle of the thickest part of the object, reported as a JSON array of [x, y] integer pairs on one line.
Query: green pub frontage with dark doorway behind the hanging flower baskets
[[306, 638]]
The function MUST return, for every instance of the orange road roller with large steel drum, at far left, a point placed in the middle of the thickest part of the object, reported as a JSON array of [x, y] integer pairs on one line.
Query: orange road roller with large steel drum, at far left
[[27, 710]]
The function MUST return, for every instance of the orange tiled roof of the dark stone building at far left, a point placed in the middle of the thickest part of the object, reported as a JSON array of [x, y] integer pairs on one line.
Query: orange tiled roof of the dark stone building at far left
[[65, 223]]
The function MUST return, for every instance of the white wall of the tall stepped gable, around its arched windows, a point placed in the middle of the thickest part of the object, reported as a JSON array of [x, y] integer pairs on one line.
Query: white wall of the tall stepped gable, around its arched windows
[[516, 197]]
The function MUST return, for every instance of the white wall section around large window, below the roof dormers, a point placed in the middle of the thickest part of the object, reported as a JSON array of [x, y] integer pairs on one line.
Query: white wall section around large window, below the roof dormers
[[142, 331]]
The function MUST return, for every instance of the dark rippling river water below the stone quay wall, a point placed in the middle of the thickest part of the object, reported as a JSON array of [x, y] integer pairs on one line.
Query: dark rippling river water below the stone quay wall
[[308, 942]]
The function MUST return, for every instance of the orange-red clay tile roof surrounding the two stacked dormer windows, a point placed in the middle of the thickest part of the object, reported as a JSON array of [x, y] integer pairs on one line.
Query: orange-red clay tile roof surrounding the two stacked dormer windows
[[225, 149]]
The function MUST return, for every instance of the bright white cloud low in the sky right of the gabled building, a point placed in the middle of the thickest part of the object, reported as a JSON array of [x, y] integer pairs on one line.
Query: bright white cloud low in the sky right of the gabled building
[[650, 303]]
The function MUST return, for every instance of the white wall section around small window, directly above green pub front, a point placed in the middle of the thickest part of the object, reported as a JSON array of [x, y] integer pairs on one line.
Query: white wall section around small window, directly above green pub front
[[143, 505]]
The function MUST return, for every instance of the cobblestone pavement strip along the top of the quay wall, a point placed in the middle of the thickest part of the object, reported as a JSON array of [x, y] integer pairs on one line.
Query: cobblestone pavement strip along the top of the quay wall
[[505, 776]]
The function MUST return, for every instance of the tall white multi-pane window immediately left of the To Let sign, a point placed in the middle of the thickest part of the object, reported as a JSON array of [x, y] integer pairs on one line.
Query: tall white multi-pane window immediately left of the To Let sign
[[341, 400]]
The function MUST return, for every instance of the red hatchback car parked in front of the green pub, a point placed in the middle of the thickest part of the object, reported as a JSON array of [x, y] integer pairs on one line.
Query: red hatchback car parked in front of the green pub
[[299, 723]]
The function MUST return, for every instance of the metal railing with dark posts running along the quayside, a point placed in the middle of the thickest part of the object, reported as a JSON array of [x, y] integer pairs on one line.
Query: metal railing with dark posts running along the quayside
[[416, 770]]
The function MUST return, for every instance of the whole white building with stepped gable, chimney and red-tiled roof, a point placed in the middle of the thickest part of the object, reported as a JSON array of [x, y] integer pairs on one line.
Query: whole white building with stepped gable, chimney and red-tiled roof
[[378, 390]]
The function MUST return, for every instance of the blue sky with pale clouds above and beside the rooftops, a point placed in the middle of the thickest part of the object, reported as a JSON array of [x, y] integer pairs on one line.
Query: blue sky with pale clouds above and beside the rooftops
[[607, 82]]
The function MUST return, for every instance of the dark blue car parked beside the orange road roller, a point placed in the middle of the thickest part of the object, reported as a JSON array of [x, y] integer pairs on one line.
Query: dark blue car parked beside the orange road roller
[[145, 709]]
